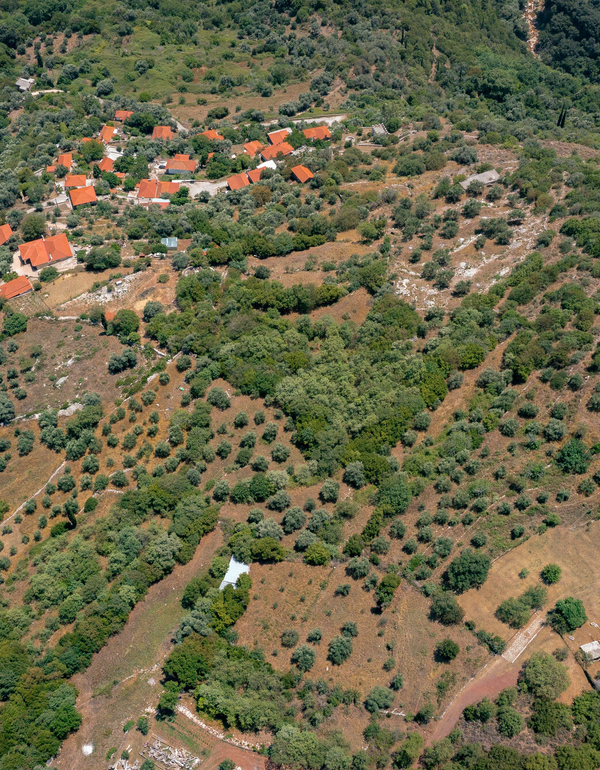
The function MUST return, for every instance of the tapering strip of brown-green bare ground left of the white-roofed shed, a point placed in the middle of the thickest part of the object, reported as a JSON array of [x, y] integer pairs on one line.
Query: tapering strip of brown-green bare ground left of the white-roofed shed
[[123, 679]]
